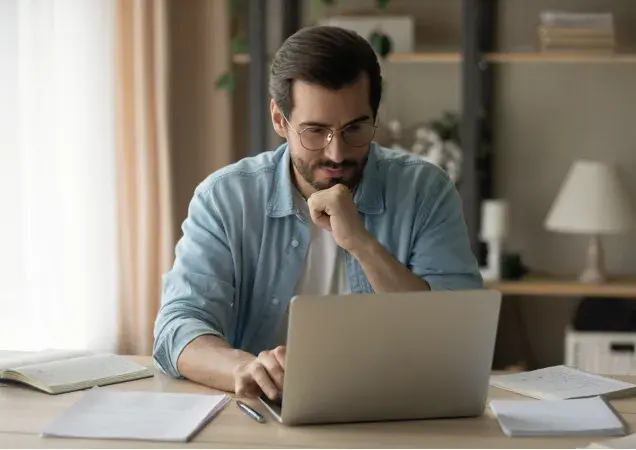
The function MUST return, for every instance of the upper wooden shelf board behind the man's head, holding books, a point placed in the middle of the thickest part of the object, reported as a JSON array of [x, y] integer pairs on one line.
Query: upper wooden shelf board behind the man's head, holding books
[[510, 57]]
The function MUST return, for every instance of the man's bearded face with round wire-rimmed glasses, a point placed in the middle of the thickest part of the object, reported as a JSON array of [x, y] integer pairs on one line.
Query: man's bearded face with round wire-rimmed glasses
[[316, 111]]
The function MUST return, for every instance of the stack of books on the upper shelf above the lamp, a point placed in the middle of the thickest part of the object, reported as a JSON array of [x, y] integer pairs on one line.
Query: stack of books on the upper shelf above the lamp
[[576, 32]]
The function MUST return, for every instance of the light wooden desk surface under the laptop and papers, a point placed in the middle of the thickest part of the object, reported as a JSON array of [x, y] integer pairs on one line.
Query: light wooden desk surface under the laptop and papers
[[25, 412]]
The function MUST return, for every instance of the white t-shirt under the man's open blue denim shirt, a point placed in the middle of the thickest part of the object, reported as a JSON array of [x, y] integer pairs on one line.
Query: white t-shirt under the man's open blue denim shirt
[[324, 270]]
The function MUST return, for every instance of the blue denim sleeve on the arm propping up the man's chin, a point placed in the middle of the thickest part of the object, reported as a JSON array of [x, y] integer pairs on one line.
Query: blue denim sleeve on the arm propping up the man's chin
[[441, 253]]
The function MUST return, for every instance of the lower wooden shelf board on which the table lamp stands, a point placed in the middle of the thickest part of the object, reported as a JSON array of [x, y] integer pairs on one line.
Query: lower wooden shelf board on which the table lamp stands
[[547, 286]]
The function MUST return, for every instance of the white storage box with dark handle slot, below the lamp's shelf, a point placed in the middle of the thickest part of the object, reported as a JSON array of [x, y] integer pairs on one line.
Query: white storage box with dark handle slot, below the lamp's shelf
[[601, 352]]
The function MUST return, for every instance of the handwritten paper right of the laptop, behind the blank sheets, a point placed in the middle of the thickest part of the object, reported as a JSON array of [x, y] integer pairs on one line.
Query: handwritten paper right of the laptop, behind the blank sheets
[[561, 383]]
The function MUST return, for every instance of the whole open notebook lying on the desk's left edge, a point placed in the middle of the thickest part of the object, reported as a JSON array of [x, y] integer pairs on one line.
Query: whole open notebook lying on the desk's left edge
[[57, 372]]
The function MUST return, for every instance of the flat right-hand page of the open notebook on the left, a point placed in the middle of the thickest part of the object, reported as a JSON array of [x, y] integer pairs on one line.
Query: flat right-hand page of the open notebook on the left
[[76, 370]]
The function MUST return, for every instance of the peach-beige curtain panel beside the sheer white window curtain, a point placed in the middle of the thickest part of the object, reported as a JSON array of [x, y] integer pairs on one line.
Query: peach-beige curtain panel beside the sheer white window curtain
[[145, 219]]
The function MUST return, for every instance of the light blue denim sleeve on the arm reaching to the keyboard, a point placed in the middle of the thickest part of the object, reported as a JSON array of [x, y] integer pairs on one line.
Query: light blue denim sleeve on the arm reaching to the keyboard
[[199, 289]]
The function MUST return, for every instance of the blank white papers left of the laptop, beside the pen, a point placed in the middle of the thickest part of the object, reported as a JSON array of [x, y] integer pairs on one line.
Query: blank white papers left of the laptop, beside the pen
[[153, 416]]
